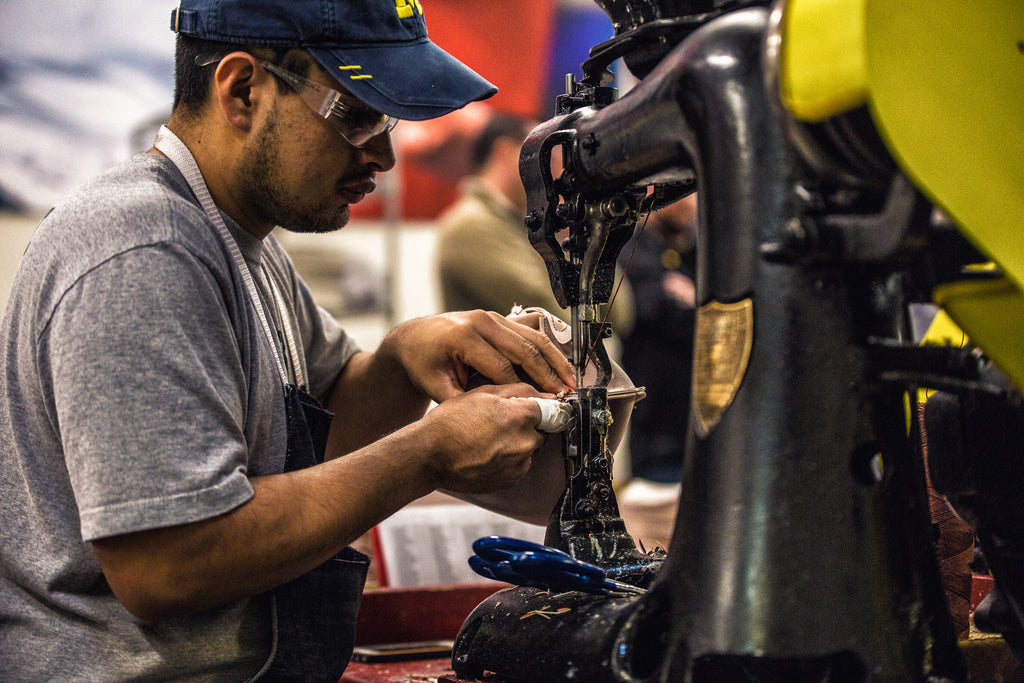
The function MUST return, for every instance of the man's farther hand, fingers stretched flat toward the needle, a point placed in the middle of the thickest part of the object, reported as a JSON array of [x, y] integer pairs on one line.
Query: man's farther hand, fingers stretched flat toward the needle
[[440, 353]]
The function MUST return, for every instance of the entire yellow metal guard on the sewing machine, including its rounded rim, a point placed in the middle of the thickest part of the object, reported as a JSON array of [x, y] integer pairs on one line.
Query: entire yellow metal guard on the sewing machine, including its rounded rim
[[945, 83]]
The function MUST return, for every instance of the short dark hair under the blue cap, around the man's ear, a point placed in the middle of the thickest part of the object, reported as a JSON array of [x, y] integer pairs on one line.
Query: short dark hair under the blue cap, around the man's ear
[[192, 82]]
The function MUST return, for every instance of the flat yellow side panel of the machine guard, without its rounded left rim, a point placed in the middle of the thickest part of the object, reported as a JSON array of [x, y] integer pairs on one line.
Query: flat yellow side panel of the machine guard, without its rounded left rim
[[947, 84]]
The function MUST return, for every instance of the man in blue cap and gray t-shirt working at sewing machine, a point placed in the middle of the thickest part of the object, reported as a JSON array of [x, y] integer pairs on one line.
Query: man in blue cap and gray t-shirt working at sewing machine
[[175, 505]]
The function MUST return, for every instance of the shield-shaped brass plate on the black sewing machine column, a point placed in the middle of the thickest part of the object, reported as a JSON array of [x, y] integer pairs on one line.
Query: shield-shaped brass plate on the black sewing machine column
[[723, 343]]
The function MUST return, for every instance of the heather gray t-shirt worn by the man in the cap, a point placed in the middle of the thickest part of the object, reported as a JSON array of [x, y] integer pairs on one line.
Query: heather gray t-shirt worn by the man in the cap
[[139, 392]]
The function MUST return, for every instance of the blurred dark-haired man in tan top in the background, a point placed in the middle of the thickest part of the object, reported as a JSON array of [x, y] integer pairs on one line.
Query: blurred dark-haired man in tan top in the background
[[485, 259]]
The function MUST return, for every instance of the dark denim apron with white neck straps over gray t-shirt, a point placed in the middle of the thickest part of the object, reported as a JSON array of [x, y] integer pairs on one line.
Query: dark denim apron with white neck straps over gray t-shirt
[[314, 616]]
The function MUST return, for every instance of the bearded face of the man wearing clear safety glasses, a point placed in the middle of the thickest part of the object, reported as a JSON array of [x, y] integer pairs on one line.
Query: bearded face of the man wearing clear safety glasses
[[300, 174]]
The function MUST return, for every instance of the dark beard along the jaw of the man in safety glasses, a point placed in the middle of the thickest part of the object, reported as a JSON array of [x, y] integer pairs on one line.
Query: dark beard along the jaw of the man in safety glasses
[[260, 189]]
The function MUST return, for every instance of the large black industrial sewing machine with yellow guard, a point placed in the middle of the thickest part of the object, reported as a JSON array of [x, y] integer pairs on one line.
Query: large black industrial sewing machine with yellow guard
[[824, 138]]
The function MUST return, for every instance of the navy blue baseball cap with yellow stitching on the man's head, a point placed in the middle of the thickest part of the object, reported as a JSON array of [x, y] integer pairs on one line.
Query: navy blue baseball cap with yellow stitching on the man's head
[[377, 50]]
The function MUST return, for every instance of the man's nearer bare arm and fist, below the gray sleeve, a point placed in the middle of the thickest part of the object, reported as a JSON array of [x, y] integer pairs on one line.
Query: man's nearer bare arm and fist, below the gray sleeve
[[481, 442]]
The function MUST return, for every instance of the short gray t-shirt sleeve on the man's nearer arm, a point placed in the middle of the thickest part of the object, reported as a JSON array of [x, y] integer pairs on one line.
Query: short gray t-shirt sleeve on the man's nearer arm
[[150, 393]]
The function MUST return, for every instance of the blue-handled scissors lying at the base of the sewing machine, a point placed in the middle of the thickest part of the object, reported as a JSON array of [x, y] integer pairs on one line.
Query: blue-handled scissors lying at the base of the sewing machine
[[527, 564]]
